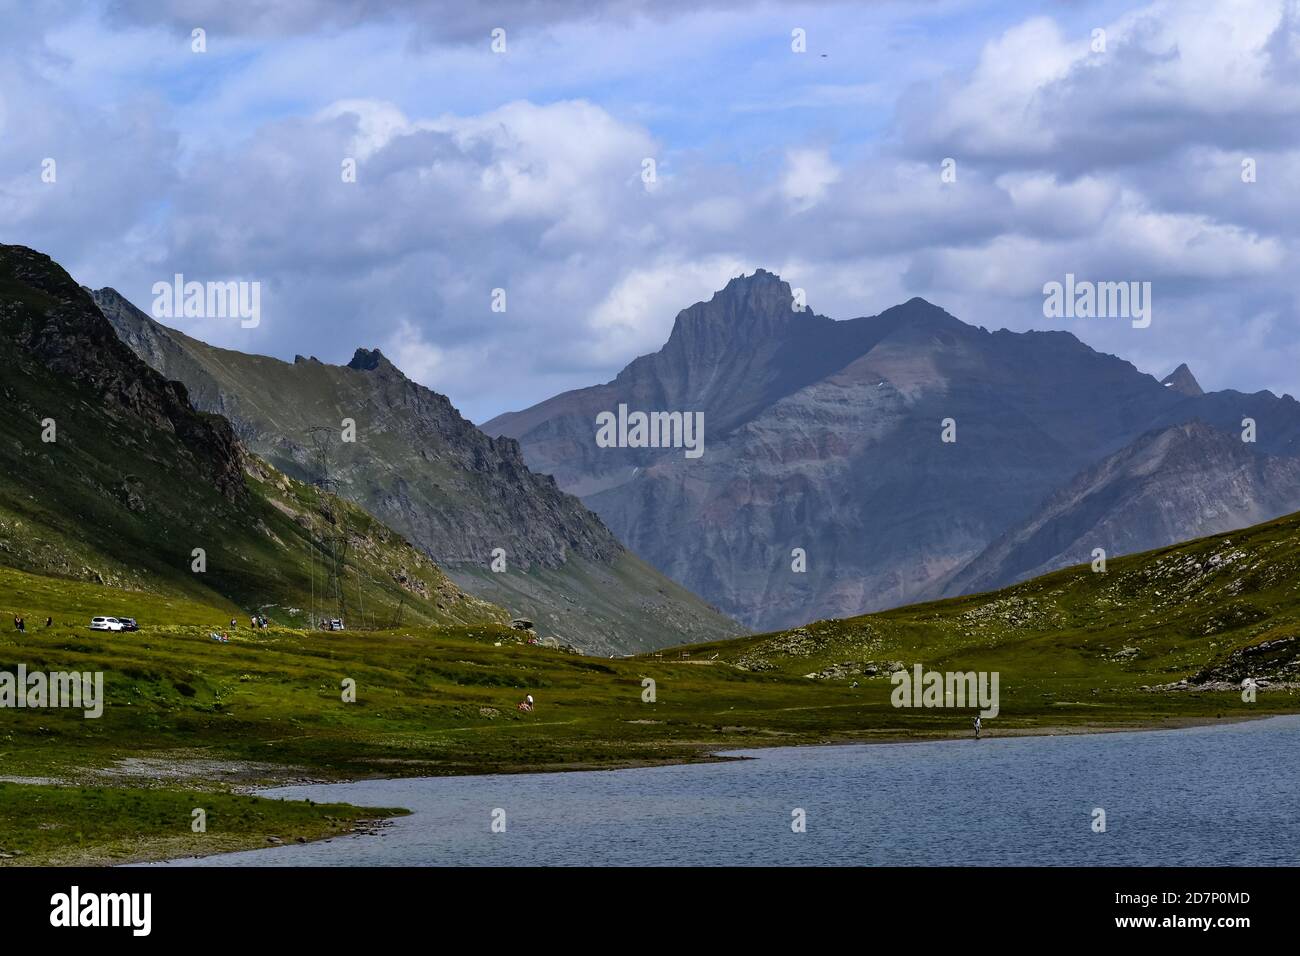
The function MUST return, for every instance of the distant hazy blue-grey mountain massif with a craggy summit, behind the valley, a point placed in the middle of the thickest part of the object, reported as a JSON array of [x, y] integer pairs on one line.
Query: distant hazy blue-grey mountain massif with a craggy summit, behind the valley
[[825, 448]]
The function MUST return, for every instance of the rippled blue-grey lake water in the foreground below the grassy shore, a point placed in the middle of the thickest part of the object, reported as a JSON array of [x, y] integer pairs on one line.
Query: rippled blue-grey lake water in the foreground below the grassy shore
[[1220, 795]]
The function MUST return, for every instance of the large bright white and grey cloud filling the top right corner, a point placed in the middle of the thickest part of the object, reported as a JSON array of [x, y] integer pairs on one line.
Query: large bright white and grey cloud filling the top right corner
[[1171, 75]]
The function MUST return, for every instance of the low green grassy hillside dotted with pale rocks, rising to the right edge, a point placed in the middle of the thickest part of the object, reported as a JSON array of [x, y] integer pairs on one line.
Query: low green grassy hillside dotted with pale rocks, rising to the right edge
[[1216, 609]]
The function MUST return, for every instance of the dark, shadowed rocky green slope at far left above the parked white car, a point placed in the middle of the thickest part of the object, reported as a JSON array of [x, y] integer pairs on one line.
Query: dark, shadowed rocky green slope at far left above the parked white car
[[109, 475]]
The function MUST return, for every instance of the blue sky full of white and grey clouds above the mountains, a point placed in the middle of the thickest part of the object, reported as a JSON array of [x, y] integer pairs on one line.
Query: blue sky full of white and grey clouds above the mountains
[[1116, 157]]
